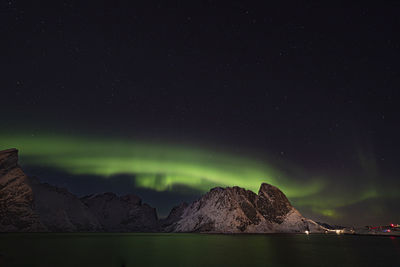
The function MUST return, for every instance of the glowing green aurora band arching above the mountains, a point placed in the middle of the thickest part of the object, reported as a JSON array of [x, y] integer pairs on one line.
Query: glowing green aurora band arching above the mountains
[[162, 166]]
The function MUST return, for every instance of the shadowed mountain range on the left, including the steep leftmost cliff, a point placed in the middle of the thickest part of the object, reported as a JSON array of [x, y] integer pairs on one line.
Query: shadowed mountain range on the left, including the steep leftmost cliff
[[30, 206]]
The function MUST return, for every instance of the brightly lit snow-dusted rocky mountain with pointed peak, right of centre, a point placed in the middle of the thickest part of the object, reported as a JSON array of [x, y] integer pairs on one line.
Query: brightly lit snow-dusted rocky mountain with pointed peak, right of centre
[[236, 210]]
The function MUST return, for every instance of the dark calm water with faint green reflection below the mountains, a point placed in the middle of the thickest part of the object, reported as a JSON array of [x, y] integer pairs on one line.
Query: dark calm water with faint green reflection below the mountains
[[196, 250]]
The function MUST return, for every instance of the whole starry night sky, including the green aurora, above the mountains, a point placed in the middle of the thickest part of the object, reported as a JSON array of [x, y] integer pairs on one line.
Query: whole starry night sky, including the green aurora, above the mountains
[[168, 99]]
